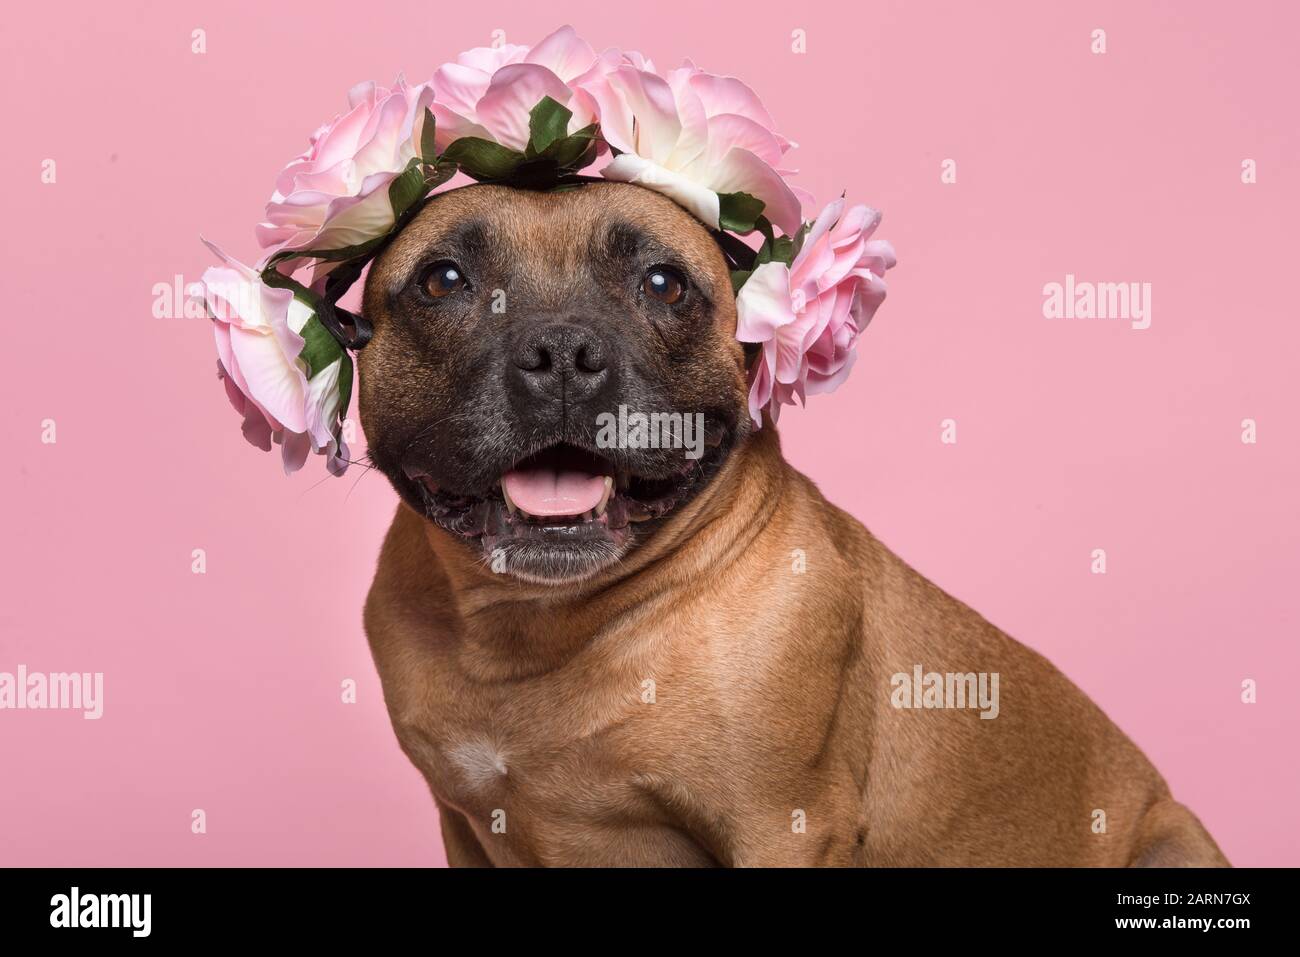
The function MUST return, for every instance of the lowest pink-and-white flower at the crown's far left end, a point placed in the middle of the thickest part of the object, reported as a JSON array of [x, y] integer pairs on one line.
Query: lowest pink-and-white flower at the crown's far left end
[[258, 331]]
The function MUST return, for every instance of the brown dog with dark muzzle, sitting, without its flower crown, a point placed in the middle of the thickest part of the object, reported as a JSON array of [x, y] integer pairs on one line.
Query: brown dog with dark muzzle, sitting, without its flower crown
[[712, 665]]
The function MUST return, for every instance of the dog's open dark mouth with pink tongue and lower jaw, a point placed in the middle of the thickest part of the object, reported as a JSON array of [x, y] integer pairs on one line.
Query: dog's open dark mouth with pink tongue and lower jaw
[[562, 513]]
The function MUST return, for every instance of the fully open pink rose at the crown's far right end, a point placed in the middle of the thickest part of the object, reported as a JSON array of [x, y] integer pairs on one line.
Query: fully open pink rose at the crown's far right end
[[808, 317]]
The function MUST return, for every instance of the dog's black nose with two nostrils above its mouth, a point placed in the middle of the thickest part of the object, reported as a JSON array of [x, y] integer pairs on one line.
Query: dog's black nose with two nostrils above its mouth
[[562, 362]]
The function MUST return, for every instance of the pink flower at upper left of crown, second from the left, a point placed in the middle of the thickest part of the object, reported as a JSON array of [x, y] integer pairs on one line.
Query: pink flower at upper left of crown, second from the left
[[337, 193]]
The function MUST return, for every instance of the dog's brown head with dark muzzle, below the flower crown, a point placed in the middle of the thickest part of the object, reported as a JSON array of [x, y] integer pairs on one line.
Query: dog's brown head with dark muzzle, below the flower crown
[[552, 374]]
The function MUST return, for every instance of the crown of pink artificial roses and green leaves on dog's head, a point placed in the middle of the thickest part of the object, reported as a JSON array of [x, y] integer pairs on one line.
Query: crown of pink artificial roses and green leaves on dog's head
[[538, 118]]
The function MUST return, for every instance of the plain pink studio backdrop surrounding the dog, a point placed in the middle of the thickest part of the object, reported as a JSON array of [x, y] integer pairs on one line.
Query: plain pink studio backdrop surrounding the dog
[[223, 690]]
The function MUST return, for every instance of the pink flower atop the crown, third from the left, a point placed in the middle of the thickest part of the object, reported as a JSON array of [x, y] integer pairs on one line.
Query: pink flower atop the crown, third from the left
[[489, 92]]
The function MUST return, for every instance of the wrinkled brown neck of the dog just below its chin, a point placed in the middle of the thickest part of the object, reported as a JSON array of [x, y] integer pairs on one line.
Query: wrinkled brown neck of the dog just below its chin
[[513, 629]]
